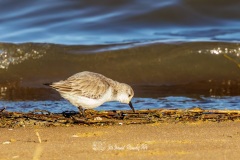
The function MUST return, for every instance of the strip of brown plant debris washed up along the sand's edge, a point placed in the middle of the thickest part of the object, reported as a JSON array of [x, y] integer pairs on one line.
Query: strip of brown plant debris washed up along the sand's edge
[[45, 118]]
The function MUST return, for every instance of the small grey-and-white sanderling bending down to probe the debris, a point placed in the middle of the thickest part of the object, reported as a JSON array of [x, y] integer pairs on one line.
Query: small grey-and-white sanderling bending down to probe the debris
[[88, 90]]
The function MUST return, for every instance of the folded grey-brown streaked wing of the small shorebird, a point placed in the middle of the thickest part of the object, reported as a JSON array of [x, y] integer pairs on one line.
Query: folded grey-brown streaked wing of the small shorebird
[[90, 86]]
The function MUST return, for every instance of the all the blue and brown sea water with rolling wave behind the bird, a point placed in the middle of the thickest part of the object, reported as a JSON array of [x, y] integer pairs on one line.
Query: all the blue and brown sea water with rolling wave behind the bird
[[174, 53]]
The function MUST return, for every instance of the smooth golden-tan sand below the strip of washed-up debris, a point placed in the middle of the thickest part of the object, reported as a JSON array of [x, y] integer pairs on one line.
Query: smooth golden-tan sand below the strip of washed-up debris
[[196, 140]]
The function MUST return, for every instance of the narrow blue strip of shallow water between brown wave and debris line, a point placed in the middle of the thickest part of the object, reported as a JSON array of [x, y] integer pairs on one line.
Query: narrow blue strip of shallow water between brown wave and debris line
[[207, 103]]
